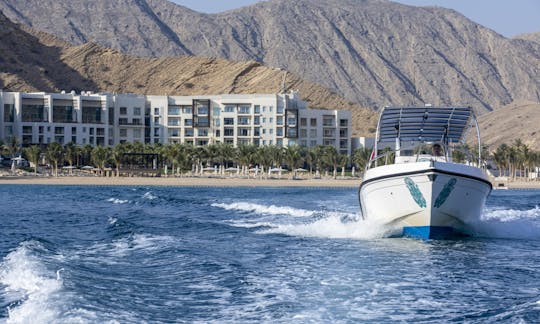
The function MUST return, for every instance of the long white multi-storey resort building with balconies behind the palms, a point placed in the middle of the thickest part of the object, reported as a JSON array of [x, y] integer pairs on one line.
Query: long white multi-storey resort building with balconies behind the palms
[[109, 119]]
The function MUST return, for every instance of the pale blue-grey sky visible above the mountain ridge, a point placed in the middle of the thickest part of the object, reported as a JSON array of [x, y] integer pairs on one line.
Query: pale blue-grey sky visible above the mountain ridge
[[507, 17]]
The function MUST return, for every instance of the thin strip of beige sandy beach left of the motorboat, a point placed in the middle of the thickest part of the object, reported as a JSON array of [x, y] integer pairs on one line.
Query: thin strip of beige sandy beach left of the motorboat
[[179, 182]]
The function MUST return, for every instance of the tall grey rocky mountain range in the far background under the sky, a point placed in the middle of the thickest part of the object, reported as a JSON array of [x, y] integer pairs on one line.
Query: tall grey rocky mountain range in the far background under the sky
[[374, 52]]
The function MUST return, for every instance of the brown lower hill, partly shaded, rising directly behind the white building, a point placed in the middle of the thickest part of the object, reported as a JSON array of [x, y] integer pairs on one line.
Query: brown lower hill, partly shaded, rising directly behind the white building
[[36, 61]]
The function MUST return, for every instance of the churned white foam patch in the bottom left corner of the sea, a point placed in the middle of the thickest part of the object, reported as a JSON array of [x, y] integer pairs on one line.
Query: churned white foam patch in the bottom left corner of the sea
[[29, 287]]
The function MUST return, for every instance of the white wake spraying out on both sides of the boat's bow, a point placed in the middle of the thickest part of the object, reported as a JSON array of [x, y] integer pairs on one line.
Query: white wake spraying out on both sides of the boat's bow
[[272, 219]]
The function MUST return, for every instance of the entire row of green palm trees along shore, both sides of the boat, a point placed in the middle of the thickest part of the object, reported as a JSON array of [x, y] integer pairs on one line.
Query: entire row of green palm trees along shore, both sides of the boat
[[515, 160]]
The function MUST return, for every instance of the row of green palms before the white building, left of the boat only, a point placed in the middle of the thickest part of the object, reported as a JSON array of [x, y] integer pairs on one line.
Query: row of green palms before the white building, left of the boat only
[[181, 159]]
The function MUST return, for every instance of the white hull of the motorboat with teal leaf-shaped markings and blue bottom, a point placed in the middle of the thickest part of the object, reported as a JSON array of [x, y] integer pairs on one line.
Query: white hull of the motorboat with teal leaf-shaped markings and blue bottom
[[425, 199]]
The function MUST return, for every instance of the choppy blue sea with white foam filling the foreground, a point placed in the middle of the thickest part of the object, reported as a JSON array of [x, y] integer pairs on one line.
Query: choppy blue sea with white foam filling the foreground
[[275, 255]]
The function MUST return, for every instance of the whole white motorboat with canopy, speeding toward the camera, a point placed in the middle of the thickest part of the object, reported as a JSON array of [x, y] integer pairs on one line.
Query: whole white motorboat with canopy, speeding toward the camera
[[412, 182]]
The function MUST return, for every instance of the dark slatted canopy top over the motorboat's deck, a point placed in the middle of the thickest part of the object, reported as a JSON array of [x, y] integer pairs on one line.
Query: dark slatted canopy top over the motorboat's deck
[[425, 124]]
